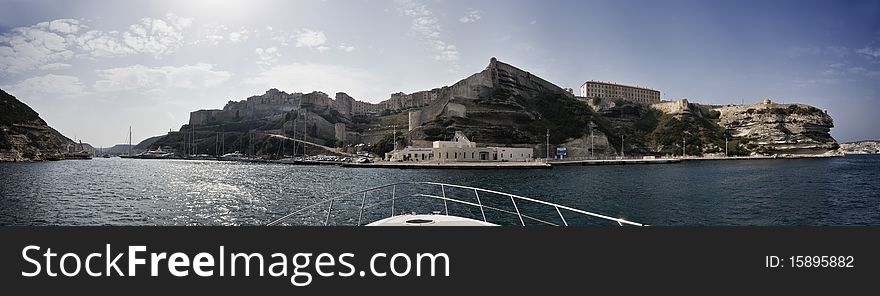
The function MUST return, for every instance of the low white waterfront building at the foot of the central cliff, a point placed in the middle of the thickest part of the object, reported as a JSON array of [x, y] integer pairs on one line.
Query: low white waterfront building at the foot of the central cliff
[[460, 149]]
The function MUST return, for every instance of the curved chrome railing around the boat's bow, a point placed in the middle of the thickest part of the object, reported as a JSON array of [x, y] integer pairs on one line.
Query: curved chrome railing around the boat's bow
[[446, 200]]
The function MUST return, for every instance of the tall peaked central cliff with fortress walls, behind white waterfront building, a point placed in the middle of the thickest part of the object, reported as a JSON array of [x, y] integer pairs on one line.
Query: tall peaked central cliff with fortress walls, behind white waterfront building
[[504, 105]]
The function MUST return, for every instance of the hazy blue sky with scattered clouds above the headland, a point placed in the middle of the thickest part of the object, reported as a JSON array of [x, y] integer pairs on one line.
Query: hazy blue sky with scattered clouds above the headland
[[94, 68]]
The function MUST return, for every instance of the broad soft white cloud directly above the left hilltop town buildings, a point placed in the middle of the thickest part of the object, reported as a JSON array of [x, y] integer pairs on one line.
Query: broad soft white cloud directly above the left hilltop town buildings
[[296, 77]]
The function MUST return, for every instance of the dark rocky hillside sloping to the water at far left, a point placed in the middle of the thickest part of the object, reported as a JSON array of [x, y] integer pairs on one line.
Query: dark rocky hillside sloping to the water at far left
[[24, 136]]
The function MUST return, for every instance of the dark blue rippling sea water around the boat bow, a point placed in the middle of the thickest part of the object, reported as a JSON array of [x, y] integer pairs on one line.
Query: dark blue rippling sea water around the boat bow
[[825, 191]]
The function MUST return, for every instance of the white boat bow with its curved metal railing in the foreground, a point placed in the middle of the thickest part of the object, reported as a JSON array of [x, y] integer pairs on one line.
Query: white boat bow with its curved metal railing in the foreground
[[472, 206]]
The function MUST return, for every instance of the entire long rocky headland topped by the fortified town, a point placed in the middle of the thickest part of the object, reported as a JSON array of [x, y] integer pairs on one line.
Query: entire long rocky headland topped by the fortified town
[[506, 106]]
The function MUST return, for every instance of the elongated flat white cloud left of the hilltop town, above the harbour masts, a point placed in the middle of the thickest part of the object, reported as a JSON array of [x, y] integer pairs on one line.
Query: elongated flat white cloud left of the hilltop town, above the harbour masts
[[139, 77]]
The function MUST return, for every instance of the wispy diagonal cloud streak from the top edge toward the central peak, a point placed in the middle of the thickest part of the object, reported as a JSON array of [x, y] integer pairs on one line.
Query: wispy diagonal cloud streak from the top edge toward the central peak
[[427, 27]]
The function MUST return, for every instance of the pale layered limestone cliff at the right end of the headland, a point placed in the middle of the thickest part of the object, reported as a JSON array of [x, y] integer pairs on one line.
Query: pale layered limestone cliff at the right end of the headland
[[774, 128]]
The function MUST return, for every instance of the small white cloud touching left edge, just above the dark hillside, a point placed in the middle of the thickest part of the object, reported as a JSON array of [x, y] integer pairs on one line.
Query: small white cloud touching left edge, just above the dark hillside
[[47, 87]]
